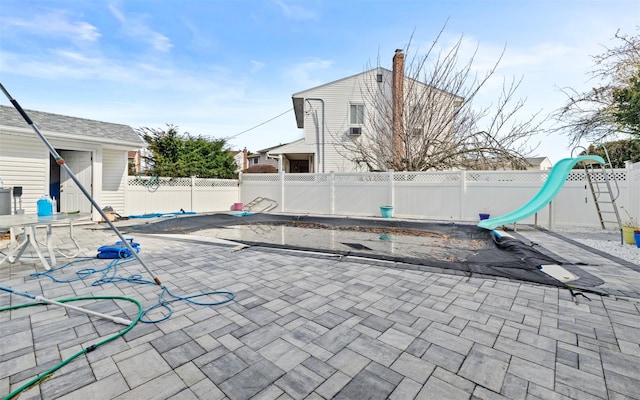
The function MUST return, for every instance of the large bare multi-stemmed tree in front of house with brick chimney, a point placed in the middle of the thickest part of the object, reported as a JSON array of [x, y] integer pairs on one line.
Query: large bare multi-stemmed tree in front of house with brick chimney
[[429, 122]]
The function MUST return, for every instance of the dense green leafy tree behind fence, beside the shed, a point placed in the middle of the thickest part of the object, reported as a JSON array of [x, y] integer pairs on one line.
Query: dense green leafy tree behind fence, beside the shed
[[175, 155]]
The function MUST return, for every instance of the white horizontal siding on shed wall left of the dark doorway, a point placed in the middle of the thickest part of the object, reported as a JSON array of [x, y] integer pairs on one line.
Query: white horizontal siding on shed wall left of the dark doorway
[[24, 161]]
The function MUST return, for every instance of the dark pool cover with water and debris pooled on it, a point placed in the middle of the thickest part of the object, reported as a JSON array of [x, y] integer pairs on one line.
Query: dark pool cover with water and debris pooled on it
[[416, 245]]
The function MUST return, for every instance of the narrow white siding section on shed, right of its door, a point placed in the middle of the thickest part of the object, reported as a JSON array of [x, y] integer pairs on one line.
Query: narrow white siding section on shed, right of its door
[[114, 173]]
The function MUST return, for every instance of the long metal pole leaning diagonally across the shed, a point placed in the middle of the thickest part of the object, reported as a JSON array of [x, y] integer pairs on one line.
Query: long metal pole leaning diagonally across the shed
[[60, 161]]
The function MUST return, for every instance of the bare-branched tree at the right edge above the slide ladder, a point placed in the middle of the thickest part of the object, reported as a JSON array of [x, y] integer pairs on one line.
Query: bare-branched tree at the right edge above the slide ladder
[[591, 115]]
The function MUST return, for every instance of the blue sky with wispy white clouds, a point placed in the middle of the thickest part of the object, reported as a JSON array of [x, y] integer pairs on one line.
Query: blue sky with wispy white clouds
[[228, 69]]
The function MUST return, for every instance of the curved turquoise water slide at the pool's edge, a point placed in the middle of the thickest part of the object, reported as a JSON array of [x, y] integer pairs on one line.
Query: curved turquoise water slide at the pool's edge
[[556, 179]]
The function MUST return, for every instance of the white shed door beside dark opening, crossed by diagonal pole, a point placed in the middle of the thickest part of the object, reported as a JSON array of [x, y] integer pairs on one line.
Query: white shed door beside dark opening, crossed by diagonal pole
[[71, 197]]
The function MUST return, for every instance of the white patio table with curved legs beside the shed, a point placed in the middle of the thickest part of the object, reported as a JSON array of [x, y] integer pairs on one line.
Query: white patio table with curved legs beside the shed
[[28, 224]]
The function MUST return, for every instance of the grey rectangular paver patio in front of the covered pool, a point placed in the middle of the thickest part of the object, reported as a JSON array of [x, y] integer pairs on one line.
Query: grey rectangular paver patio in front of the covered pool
[[312, 326]]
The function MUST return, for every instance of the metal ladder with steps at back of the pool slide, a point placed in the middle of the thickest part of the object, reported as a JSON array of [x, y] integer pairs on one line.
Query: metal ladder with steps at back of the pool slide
[[605, 191]]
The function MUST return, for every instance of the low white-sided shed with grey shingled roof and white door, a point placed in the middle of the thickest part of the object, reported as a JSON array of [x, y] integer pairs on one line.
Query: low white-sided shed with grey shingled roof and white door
[[96, 152]]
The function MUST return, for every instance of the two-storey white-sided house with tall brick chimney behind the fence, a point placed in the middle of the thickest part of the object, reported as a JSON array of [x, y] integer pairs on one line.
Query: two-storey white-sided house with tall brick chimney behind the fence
[[340, 116]]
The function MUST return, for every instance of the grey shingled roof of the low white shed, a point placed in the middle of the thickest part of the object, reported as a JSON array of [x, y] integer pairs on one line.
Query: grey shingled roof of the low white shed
[[72, 127]]
